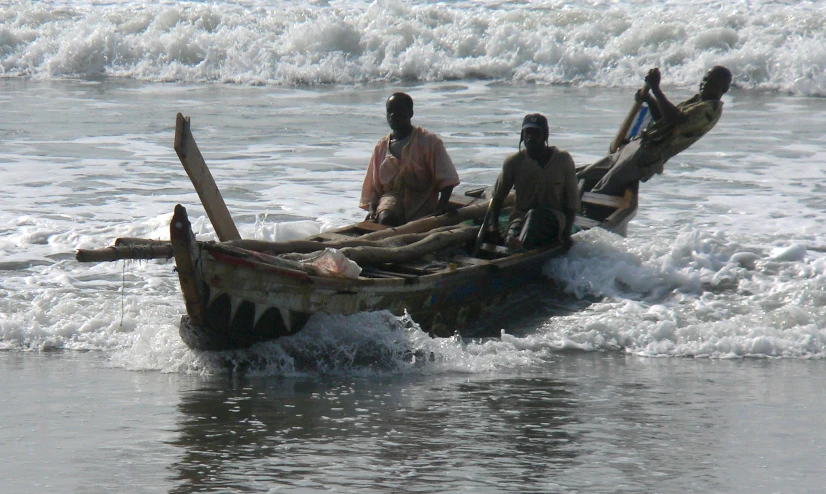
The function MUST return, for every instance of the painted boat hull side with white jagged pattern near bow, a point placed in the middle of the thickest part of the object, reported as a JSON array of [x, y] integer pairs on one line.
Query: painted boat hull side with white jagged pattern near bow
[[236, 298]]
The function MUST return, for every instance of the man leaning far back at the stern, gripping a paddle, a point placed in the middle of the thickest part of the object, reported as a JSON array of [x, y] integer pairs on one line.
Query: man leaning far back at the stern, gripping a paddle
[[673, 130]]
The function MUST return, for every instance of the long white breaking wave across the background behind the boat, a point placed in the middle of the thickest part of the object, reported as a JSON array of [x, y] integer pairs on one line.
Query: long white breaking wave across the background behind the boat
[[768, 45]]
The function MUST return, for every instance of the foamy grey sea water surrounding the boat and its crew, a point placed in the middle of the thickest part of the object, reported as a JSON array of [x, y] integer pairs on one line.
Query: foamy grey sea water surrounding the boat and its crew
[[721, 276]]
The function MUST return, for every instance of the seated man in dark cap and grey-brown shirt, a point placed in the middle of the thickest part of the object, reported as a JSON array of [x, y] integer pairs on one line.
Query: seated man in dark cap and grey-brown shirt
[[547, 198]]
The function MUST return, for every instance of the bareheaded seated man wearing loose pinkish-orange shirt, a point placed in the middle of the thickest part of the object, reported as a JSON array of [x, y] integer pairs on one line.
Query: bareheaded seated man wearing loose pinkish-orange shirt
[[410, 174]]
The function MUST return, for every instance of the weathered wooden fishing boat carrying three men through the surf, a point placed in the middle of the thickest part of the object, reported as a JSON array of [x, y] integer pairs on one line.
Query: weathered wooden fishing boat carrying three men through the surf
[[241, 292]]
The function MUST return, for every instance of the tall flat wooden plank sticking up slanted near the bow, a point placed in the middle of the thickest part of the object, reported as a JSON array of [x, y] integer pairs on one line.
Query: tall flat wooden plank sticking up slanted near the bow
[[202, 180]]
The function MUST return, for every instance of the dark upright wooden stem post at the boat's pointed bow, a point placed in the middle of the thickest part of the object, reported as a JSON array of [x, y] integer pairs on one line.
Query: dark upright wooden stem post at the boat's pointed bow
[[186, 254]]
